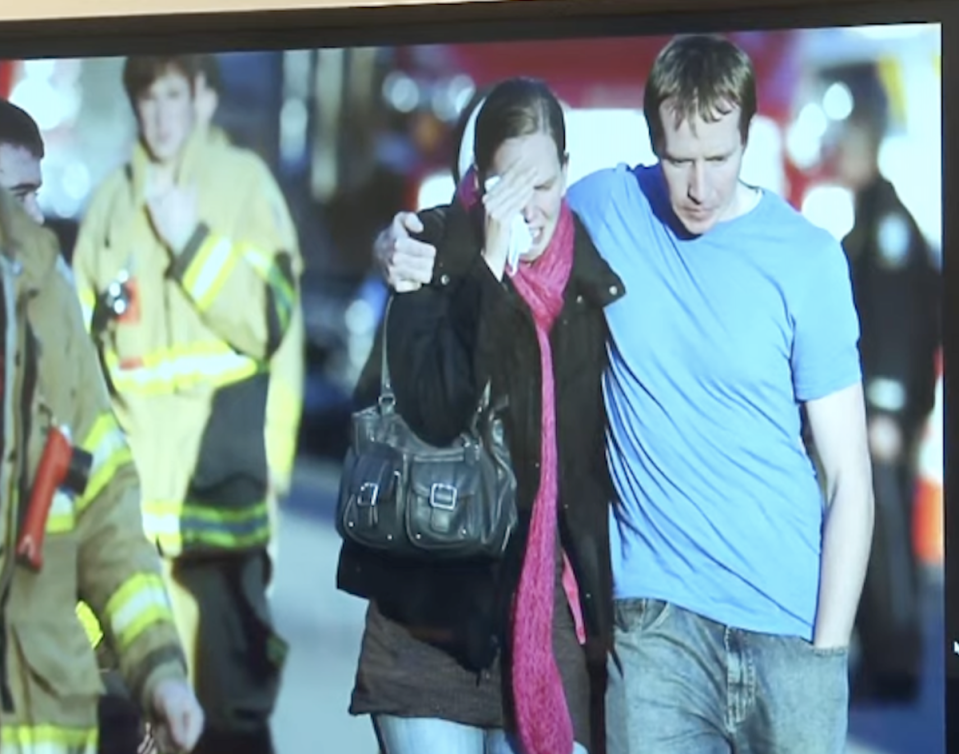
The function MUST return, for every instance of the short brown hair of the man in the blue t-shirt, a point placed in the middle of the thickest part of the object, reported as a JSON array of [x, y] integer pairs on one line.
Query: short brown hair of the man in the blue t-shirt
[[703, 75]]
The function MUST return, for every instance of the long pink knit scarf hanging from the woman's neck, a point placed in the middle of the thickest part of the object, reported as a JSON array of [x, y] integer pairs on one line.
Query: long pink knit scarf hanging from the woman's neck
[[542, 714]]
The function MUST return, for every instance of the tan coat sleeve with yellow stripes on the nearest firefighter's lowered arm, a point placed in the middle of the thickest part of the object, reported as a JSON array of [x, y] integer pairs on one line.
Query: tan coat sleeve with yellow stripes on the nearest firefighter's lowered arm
[[119, 573]]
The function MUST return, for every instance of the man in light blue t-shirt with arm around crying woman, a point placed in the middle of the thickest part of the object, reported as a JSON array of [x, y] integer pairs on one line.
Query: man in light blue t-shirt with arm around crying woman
[[736, 581]]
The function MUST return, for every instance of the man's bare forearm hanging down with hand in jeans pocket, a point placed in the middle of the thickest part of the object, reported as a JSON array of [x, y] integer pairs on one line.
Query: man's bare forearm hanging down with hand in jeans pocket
[[847, 541]]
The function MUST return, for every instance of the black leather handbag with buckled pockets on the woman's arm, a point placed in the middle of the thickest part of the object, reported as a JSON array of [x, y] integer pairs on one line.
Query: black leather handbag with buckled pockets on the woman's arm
[[407, 499]]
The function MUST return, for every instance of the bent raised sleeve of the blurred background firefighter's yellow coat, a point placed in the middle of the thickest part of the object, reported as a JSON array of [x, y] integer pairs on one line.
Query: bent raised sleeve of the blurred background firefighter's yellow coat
[[245, 287]]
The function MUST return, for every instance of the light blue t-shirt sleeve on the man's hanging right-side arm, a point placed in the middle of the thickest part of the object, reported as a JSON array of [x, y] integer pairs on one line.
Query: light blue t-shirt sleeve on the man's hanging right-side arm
[[825, 355]]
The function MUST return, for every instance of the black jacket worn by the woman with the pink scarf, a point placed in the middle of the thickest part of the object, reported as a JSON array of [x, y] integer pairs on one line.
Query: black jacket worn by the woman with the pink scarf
[[445, 341]]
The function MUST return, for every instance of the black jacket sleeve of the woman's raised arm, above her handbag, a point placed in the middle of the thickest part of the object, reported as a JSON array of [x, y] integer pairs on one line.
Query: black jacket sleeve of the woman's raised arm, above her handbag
[[441, 341]]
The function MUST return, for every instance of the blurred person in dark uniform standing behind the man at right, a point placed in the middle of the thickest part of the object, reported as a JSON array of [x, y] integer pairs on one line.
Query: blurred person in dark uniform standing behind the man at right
[[896, 287]]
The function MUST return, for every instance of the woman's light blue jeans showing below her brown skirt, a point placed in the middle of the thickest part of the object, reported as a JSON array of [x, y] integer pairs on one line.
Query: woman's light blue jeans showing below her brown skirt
[[427, 735]]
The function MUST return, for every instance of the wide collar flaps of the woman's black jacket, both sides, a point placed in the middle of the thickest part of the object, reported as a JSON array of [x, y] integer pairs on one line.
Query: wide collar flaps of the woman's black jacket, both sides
[[591, 276]]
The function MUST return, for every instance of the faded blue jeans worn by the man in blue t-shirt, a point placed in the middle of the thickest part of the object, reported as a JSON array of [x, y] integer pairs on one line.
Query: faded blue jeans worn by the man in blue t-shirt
[[688, 685]]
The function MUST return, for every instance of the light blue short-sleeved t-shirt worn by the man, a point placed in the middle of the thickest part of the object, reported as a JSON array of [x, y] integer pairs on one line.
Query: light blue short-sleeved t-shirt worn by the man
[[718, 341]]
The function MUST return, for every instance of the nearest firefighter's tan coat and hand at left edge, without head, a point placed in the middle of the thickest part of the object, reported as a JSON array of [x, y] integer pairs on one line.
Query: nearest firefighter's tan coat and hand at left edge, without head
[[93, 543]]
